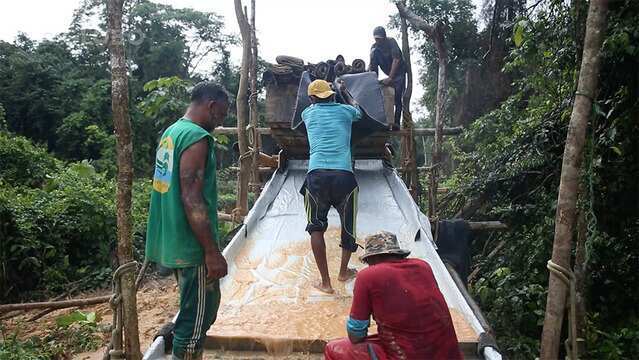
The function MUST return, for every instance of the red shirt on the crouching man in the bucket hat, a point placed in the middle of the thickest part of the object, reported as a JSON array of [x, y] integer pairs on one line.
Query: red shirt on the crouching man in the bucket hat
[[412, 317]]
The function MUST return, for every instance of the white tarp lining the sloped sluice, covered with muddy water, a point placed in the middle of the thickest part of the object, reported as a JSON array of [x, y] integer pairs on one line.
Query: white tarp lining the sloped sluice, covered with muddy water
[[263, 253]]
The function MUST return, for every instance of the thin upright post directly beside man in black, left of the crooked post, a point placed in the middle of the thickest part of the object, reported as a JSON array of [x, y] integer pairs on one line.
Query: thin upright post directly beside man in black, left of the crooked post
[[409, 161]]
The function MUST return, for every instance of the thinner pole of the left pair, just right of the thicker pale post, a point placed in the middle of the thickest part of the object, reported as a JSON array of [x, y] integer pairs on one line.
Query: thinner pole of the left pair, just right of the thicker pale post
[[255, 183]]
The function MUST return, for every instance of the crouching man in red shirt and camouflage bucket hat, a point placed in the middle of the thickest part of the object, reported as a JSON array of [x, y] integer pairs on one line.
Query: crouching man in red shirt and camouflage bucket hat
[[401, 294]]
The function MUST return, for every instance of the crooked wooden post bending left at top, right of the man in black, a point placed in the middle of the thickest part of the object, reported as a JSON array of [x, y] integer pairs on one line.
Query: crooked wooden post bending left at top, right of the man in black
[[436, 35]]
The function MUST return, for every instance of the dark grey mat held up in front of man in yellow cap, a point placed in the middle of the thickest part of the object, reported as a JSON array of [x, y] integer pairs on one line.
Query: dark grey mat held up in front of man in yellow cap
[[364, 88]]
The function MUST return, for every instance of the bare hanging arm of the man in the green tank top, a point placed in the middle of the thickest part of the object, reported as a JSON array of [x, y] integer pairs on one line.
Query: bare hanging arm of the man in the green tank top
[[192, 166]]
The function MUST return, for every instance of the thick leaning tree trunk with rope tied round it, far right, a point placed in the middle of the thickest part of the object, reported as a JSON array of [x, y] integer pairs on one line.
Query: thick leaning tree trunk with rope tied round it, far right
[[566, 204]]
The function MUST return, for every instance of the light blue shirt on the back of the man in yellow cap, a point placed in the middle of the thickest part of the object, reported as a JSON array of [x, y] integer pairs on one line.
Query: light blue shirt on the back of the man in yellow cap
[[328, 126]]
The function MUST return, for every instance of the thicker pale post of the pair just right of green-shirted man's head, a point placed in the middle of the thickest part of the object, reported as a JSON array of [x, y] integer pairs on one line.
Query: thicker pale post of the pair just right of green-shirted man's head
[[243, 112]]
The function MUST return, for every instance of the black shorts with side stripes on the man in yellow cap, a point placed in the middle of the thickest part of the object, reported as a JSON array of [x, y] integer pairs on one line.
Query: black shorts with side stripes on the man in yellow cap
[[325, 188]]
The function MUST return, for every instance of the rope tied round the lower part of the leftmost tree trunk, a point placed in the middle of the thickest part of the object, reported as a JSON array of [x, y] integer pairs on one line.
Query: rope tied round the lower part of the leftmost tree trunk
[[114, 349]]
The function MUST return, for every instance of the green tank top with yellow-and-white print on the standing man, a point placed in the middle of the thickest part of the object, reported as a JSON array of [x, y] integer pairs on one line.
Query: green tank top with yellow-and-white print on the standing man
[[169, 238]]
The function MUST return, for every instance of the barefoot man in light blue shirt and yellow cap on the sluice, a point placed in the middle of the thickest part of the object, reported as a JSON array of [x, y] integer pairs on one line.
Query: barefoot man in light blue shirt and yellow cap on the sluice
[[330, 180]]
